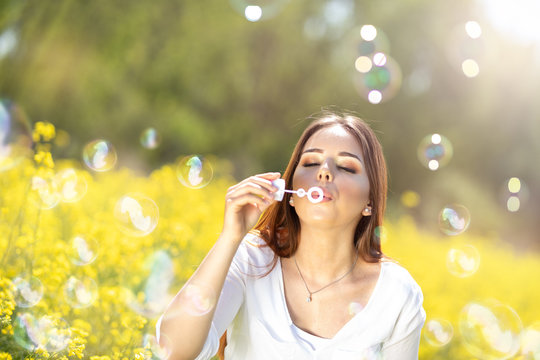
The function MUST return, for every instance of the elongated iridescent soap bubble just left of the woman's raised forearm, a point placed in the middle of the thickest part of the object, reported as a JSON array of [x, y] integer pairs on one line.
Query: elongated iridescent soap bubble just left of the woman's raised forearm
[[148, 293]]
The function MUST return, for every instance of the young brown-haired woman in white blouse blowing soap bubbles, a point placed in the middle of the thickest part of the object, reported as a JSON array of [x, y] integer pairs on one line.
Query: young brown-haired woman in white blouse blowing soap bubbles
[[299, 279]]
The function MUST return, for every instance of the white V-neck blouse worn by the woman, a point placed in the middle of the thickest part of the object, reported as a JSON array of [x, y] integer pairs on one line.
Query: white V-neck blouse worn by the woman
[[254, 312]]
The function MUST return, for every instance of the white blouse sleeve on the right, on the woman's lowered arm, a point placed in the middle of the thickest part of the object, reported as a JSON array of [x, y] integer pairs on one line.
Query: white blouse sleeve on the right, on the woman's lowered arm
[[404, 341]]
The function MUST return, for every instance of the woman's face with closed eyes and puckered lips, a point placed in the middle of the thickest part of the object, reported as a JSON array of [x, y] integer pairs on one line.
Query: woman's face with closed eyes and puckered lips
[[332, 159]]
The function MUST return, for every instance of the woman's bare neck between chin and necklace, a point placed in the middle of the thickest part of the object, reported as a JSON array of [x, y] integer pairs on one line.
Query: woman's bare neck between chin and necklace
[[325, 255]]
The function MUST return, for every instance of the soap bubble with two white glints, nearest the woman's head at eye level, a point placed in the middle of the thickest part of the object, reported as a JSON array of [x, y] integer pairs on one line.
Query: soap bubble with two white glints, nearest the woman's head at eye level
[[434, 151]]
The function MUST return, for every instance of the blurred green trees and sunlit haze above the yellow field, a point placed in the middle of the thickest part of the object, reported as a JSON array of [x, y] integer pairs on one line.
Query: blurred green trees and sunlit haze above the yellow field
[[237, 79]]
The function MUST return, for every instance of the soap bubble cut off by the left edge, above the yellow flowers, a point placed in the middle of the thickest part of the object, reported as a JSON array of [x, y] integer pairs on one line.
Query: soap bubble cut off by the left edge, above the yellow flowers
[[15, 135]]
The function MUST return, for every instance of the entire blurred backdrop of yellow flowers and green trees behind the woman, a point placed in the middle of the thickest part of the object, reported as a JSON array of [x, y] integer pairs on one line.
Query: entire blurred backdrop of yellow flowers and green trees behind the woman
[[124, 97]]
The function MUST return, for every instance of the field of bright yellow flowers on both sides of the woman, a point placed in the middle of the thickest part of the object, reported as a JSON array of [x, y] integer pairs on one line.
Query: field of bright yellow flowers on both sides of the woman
[[79, 281]]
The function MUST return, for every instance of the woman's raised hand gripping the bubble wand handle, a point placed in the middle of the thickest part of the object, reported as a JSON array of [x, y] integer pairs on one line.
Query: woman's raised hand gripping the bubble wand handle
[[245, 203]]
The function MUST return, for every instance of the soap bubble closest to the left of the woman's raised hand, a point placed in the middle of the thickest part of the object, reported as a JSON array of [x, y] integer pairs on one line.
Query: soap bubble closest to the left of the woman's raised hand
[[194, 172]]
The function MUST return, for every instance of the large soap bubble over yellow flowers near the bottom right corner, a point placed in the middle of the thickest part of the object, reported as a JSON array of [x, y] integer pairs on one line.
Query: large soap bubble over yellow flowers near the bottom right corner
[[490, 330]]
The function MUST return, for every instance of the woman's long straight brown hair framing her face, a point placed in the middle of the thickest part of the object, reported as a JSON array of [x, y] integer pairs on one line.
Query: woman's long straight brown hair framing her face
[[279, 225]]
